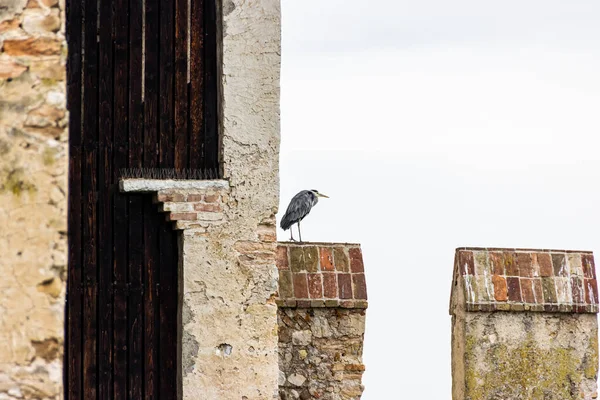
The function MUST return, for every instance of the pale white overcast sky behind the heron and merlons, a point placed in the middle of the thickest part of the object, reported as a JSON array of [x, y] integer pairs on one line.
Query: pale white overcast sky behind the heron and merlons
[[432, 125]]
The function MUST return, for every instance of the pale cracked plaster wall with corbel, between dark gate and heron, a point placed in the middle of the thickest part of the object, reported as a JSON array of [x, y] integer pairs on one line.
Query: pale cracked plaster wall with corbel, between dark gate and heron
[[227, 246]]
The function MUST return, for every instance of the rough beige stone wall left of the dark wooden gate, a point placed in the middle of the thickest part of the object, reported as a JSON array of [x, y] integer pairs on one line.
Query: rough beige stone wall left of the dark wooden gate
[[33, 184]]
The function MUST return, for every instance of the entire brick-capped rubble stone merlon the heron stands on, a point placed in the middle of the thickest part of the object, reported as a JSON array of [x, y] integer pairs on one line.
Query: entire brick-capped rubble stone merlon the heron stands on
[[321, 317]]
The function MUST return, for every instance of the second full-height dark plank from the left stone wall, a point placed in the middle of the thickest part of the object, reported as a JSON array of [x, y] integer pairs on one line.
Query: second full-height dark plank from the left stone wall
[[90, 248]]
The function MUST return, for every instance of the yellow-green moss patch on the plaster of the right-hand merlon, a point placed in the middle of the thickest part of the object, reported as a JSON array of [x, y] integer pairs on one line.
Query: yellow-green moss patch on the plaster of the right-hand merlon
[[523, 372]]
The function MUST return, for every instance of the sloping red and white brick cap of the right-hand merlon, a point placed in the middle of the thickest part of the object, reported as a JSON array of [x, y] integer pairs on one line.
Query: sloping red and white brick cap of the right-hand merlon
[[534, 280]]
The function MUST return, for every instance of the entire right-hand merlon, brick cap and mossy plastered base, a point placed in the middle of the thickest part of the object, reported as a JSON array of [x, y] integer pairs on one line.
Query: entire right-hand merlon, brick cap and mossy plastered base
[[524, 325]]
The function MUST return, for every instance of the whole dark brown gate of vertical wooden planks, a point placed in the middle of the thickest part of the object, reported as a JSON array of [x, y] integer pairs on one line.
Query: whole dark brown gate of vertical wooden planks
[[142, 93]]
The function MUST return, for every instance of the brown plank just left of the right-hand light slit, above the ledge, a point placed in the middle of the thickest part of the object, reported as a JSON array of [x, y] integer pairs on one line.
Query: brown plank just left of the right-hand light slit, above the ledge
[[181, 84]]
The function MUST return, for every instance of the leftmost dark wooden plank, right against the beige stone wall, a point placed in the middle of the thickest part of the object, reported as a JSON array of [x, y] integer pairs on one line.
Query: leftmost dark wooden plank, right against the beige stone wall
[[73, 354]]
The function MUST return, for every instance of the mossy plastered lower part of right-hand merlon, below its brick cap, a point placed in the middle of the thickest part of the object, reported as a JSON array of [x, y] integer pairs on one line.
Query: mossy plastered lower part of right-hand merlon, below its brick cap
[[530, 356]]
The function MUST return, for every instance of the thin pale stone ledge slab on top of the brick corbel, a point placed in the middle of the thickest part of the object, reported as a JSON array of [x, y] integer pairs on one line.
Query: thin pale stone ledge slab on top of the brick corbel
[[140, 185]]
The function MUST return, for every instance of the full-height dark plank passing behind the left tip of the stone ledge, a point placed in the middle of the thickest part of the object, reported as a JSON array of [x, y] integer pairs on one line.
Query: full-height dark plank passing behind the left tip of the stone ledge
[[120, 217]]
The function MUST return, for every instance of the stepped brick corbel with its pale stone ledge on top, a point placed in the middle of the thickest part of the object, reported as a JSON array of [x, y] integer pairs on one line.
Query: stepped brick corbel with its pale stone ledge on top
[[192, 205]]
